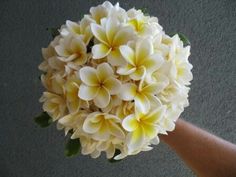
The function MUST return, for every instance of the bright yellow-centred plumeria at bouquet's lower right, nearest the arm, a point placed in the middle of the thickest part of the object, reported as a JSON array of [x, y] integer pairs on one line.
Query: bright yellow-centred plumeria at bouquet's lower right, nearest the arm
[[142, 127]]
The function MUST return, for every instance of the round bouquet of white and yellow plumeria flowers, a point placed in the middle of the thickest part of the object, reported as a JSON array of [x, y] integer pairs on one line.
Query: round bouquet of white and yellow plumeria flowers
[[114, 81]]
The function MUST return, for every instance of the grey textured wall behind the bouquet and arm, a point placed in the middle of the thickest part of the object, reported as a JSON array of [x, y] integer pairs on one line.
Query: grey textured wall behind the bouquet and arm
[[27, 150]]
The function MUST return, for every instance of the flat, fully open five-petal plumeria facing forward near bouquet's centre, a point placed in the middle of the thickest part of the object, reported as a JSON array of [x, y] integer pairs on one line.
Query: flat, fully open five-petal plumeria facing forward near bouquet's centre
[[98, 84]]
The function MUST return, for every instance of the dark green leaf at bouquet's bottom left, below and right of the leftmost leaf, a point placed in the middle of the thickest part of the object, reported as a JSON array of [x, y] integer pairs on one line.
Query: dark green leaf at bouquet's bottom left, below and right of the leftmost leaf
[[72, 147]]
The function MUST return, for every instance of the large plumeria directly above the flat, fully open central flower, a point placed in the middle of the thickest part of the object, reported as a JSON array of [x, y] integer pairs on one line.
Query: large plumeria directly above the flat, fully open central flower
[[111, 36]]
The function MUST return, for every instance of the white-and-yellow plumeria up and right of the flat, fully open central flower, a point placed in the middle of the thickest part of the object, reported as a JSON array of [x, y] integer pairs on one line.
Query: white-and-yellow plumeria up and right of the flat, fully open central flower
[[140, 61]]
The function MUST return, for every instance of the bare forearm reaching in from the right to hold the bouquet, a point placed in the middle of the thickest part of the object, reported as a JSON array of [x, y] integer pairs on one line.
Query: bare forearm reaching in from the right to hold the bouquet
[[206, 154]]
